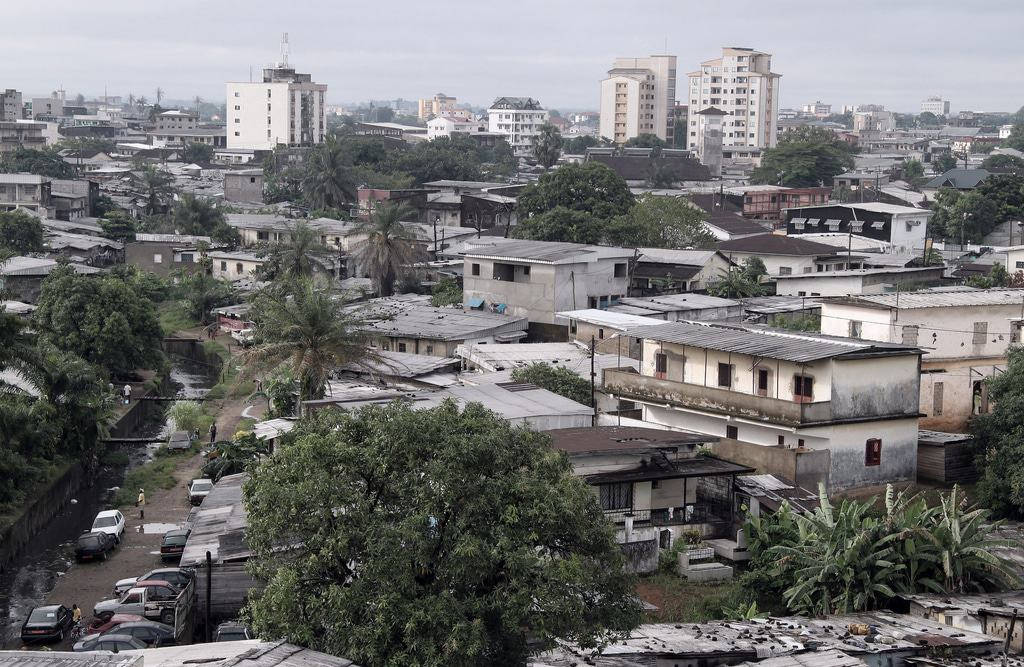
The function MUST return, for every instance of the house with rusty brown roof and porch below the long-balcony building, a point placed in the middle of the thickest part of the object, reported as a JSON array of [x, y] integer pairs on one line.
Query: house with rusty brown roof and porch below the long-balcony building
[[653, 485]]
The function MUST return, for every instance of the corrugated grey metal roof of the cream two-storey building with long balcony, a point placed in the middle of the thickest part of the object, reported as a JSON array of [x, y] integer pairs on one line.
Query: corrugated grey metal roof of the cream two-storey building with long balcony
[[758, 342]]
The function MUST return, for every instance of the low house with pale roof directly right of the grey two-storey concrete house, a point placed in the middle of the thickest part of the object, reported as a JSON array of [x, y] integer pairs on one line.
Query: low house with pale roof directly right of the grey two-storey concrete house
[[666, 271]]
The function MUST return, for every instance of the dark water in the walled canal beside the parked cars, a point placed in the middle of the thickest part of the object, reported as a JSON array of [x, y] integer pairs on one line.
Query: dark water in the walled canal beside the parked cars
[[51, 554]]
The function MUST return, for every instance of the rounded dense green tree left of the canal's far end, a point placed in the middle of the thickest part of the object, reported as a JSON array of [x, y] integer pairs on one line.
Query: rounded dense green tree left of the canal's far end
[[103, 319]]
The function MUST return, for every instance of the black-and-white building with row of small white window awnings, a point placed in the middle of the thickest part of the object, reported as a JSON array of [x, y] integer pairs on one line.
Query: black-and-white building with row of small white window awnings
[[903, 228]]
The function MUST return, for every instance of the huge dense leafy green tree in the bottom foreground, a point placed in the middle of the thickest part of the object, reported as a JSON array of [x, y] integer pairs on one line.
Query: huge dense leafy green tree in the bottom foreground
[[435, 538]]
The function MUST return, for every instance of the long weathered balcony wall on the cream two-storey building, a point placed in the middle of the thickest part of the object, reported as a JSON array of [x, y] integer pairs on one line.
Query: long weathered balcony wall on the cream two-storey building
[[697, 397]]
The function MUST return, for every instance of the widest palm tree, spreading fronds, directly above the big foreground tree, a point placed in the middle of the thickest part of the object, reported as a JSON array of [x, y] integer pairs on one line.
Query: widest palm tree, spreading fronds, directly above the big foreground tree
[[302, 328]]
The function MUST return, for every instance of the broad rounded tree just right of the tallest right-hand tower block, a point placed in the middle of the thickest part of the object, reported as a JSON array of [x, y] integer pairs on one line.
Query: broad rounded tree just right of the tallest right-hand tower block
[[805, 157]]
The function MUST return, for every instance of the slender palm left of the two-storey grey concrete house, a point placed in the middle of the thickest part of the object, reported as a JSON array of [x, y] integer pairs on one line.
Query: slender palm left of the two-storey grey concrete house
[[389, 247]]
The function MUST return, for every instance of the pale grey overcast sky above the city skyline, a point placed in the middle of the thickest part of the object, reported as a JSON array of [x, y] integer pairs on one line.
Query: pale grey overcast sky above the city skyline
[[880, 52]]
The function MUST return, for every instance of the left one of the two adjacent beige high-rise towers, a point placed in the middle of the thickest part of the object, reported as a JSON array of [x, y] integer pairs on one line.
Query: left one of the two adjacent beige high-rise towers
[[639, 98]]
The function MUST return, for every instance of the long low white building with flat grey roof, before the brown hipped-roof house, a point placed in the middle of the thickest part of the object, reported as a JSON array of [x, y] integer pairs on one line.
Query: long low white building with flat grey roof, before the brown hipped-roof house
[[859, 281]]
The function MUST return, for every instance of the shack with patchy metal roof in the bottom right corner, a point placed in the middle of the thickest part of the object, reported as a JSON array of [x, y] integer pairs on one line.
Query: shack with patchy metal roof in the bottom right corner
[[988, 613]]
